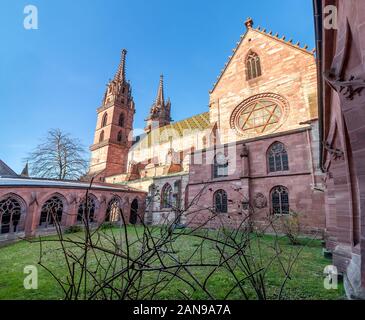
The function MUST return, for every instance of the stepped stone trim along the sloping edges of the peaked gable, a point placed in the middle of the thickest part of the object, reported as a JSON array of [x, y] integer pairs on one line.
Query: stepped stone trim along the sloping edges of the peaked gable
[[249, 25]]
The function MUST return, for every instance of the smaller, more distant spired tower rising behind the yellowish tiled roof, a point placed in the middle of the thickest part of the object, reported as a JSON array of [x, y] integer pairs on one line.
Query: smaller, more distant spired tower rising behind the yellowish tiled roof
[[160, 111]]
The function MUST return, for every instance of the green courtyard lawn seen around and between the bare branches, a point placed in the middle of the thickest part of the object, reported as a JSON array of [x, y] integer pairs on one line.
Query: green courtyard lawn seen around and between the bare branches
[[306, 280]]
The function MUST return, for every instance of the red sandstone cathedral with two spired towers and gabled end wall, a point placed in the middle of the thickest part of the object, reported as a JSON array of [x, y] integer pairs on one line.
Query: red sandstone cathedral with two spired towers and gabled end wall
[[256, 147]]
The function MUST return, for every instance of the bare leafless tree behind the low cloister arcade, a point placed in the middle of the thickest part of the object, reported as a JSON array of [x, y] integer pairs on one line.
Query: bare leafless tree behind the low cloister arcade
[[59, 157]]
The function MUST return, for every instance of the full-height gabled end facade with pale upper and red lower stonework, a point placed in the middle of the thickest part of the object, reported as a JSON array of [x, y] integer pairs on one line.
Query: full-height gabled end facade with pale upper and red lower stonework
[[287, 78]]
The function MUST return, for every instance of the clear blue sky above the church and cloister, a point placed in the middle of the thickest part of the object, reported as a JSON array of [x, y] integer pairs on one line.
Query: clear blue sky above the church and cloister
[[55, 77]]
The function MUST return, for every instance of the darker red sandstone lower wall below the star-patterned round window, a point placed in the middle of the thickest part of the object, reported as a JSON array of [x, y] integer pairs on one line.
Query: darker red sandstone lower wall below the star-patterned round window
[[250, 181]]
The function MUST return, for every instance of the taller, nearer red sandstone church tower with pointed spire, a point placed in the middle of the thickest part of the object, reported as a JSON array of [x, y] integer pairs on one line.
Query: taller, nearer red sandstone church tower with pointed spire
[[113, 133]]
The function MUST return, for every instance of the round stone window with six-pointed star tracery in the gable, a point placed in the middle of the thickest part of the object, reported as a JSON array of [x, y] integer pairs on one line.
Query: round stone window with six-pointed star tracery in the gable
[[258, 116]]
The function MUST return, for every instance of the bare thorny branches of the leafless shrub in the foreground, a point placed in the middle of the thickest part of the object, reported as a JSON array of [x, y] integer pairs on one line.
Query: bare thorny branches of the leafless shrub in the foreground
[[122, 263]]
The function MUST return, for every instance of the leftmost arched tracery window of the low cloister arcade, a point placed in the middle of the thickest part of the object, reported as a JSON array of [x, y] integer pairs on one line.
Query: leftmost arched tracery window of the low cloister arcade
[[10, 211]]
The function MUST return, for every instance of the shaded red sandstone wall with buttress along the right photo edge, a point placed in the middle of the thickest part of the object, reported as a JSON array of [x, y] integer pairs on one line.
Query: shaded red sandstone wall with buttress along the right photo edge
[[341, 59]]
